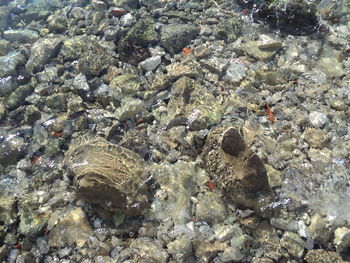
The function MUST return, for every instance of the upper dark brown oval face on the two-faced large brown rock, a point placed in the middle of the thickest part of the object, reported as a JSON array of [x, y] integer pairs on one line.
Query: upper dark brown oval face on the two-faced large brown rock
[[232, 142]]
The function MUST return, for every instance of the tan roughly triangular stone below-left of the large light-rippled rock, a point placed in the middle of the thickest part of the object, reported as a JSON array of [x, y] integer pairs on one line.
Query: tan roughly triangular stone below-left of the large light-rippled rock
[[72, 229]]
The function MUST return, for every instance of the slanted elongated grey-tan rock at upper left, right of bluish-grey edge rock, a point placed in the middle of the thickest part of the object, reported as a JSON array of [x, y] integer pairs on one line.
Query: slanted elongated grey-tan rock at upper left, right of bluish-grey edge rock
[[41, 52]]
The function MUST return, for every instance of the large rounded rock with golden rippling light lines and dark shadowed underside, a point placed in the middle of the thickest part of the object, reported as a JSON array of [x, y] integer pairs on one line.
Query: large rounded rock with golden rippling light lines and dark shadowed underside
[[108, 174]]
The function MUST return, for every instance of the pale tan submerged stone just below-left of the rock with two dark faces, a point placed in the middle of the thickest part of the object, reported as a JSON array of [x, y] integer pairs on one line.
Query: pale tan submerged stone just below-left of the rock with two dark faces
[[211, 208]]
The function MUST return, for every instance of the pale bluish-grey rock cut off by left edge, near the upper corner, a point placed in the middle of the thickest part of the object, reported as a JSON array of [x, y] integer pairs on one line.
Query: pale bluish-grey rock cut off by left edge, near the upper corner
[[10, 62]]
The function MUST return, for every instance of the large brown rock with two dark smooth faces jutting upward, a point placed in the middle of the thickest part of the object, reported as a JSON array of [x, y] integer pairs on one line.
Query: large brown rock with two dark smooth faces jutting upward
[[237, 169]]
